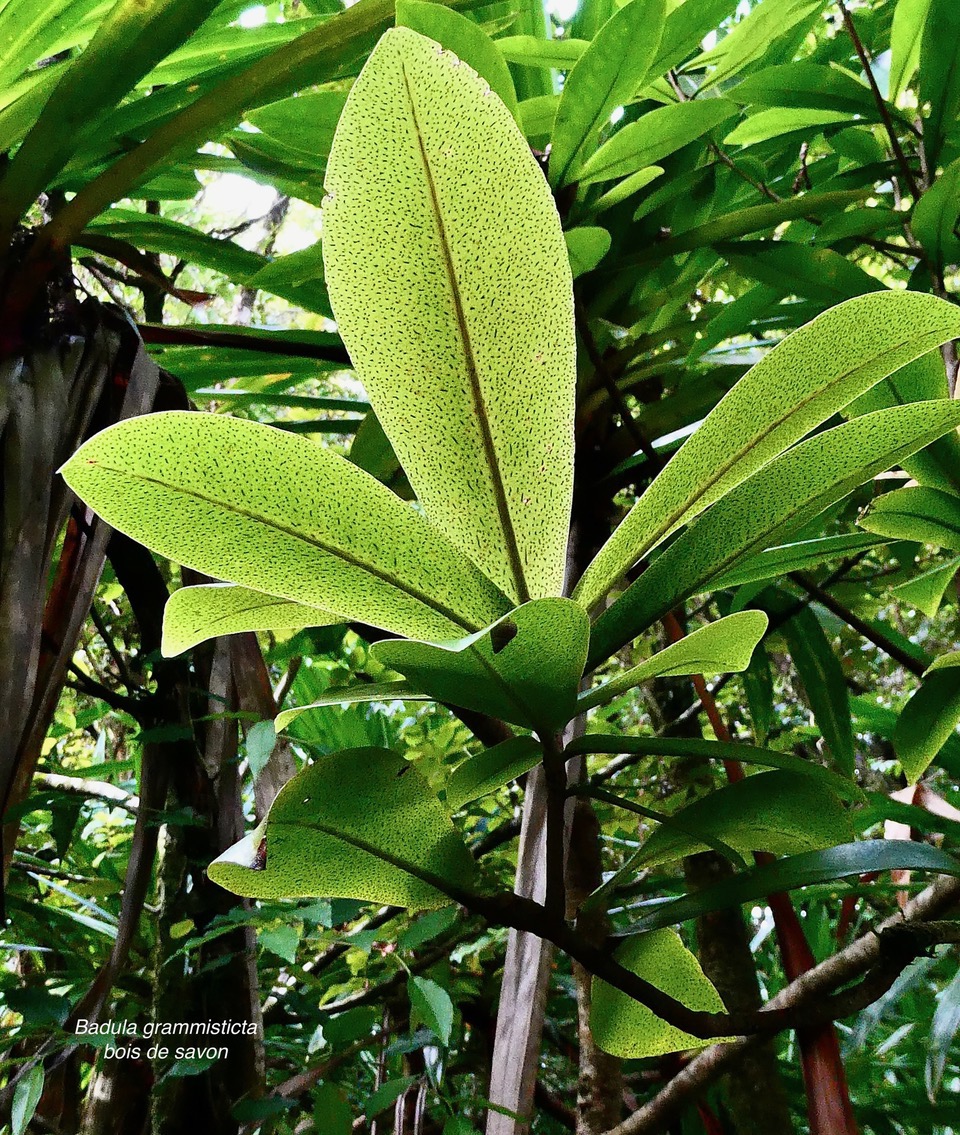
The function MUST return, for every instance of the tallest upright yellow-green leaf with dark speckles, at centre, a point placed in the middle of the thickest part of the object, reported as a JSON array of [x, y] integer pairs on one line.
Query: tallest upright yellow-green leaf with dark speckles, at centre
[[448, 271]]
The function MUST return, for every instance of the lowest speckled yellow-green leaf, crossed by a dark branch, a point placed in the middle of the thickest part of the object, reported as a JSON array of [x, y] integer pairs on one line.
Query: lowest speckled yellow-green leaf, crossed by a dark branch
[[627, 1029]]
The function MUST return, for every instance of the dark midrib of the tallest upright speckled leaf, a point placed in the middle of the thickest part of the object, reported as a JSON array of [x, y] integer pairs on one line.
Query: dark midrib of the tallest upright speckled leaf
[[473, 374]]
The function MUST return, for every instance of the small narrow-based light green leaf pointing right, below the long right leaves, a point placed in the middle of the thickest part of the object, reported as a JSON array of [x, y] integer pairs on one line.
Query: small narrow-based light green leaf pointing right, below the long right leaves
[[721, 648]]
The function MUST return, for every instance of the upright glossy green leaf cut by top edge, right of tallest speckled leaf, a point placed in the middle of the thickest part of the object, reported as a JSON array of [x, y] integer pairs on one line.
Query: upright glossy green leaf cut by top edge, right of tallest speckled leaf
[[609, 74]]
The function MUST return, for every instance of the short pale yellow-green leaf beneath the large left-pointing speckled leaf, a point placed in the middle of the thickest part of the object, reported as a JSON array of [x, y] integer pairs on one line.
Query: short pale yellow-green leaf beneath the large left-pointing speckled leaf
[[195, 615]]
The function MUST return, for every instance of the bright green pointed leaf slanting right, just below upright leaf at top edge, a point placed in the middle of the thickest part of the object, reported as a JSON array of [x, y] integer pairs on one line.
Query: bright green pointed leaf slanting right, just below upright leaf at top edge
[[655, 136]]
